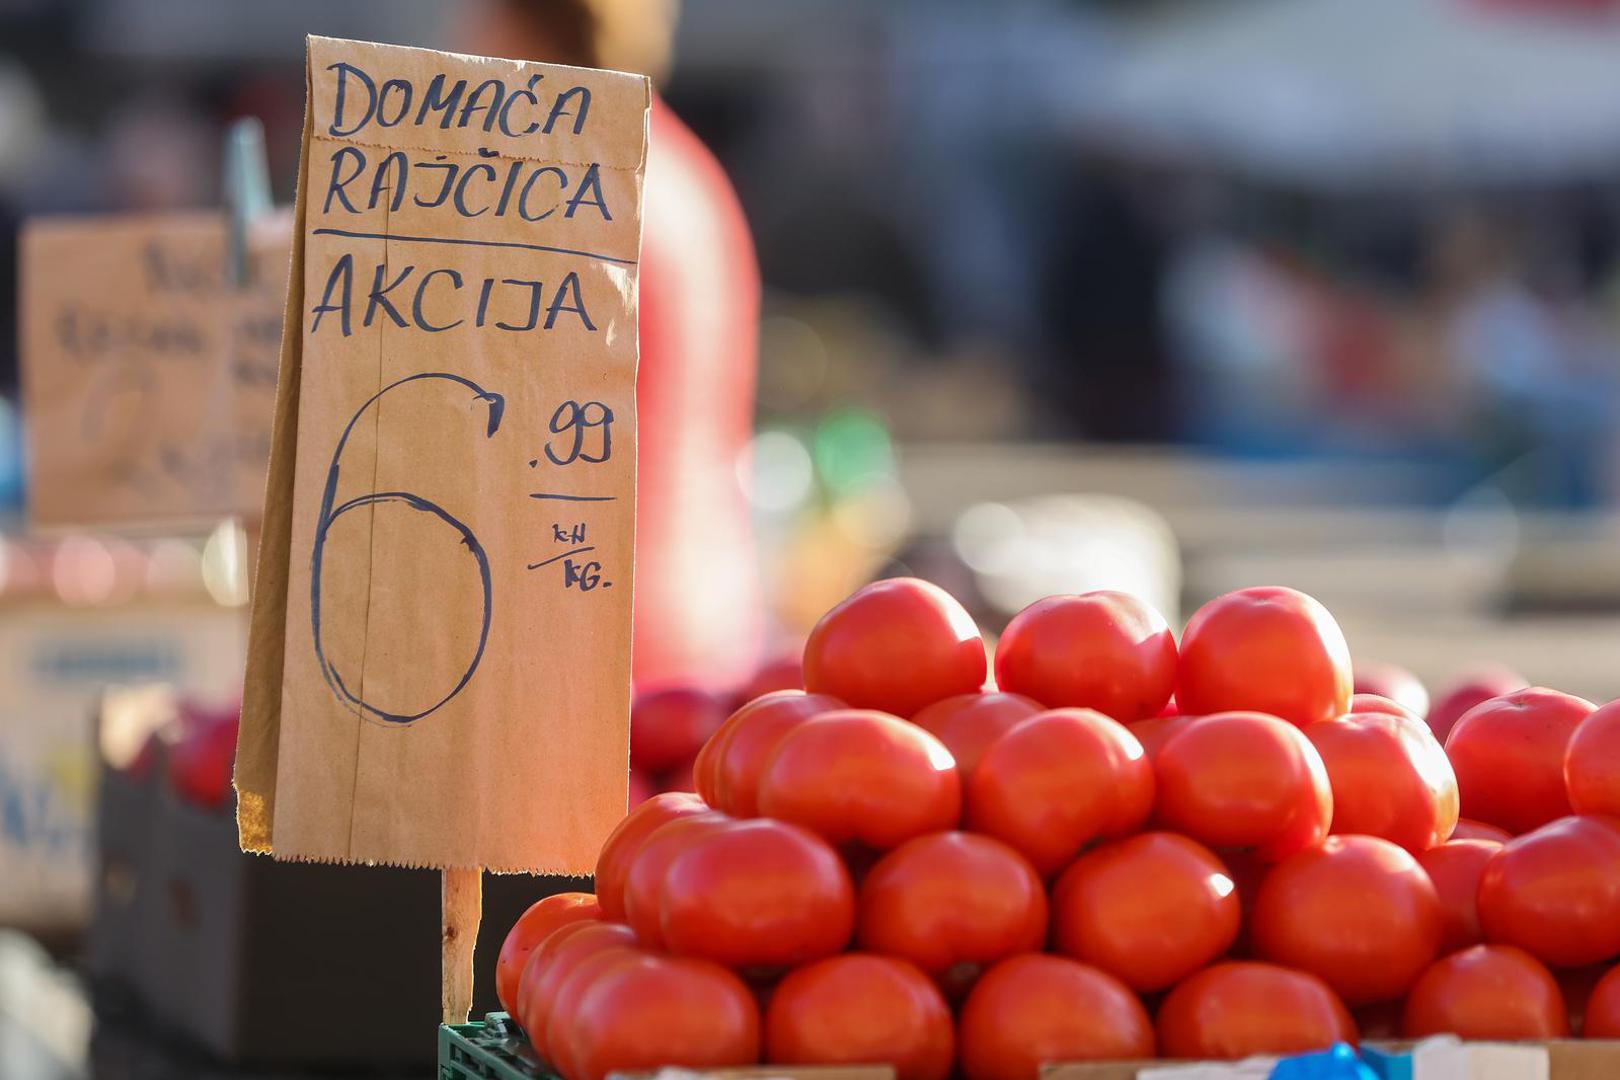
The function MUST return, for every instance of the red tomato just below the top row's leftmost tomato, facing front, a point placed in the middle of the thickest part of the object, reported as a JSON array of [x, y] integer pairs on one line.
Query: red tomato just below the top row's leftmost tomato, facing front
[[863, 776]]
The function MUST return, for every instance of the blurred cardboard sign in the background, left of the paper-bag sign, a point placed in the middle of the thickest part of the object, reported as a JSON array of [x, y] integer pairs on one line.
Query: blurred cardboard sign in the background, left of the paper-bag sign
[[148, 380]]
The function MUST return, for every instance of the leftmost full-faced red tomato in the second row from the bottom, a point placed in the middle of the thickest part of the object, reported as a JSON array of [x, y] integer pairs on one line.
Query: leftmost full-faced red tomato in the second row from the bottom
[[757, 895]]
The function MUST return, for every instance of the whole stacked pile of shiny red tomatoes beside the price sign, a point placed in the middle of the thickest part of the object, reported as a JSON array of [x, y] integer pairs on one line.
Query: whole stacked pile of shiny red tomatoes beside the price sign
[[1128, 849]]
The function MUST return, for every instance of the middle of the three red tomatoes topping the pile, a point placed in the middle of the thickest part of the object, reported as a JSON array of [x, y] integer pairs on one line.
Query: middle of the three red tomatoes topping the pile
[[1106, 652]]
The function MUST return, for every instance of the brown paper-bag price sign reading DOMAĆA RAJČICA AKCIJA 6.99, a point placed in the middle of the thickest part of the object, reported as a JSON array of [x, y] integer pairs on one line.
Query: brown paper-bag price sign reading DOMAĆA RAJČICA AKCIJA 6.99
[[440, 661]]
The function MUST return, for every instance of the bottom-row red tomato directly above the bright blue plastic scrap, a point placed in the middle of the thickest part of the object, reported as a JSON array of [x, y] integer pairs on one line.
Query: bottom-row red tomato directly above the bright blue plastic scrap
[[1238, 1010]]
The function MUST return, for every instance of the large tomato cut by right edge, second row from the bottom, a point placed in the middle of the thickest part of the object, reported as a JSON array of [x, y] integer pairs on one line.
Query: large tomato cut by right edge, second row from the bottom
[[1556, 893]]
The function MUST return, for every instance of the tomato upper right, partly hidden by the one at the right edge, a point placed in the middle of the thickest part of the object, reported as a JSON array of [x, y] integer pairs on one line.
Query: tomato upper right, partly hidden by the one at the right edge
[[1509, 757]]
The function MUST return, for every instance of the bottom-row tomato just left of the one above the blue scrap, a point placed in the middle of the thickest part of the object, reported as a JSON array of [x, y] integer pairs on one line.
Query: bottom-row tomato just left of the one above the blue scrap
[[1034, 1010]]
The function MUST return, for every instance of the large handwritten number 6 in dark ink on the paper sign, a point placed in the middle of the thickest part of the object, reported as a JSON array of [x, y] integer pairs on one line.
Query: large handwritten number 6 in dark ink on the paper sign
[[331, 514]]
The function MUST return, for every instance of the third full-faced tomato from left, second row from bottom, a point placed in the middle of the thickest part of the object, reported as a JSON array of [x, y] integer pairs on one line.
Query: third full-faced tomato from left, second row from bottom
[[1149, 909]]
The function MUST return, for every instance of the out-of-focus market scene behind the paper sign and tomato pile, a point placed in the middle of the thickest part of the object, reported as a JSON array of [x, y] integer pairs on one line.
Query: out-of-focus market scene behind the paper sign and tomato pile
[[1054, 296]]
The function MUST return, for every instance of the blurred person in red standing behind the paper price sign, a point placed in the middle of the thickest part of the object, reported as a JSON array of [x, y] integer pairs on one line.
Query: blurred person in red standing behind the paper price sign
[[699, 613]]
